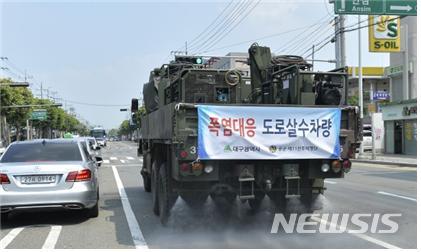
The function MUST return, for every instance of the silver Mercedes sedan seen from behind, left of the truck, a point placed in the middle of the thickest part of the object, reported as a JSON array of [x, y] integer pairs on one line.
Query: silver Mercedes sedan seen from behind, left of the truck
[[57, 173]]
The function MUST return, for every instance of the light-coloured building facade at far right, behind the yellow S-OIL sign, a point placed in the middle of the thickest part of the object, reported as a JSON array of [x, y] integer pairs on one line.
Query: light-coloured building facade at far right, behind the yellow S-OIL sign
[[400, 115]]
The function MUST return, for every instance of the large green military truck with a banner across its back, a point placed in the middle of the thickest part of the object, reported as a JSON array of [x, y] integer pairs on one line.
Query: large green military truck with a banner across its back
[[192, 154]]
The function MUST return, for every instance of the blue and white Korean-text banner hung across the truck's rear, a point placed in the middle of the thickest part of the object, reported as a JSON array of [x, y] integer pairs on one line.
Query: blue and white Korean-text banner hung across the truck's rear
[[249, 132]]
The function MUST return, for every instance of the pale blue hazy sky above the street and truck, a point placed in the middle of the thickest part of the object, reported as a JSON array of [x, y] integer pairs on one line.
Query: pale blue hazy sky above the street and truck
[[101, 52]]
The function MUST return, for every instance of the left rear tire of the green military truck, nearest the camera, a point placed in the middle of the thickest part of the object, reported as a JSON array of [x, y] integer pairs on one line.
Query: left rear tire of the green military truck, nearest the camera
[[165, 197]]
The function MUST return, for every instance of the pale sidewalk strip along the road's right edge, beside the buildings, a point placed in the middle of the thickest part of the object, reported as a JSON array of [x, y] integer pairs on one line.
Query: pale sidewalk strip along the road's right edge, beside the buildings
[[389, 159]]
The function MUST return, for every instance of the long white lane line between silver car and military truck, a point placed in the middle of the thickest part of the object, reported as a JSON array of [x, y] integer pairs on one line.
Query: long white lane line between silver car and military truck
[[137, 235]]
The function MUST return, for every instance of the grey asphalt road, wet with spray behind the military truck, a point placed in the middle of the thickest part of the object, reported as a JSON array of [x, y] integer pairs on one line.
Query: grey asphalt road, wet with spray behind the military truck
[[126, 219]]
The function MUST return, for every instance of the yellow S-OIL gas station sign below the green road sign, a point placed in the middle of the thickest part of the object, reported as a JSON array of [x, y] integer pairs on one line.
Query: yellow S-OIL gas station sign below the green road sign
[[384, 34]]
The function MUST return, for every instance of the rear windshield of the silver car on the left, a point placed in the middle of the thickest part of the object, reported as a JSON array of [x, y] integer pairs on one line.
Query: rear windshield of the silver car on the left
[[33, 152]]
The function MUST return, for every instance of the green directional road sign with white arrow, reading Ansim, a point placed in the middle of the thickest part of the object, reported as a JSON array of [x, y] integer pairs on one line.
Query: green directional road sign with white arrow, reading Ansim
[[376, 7]]
